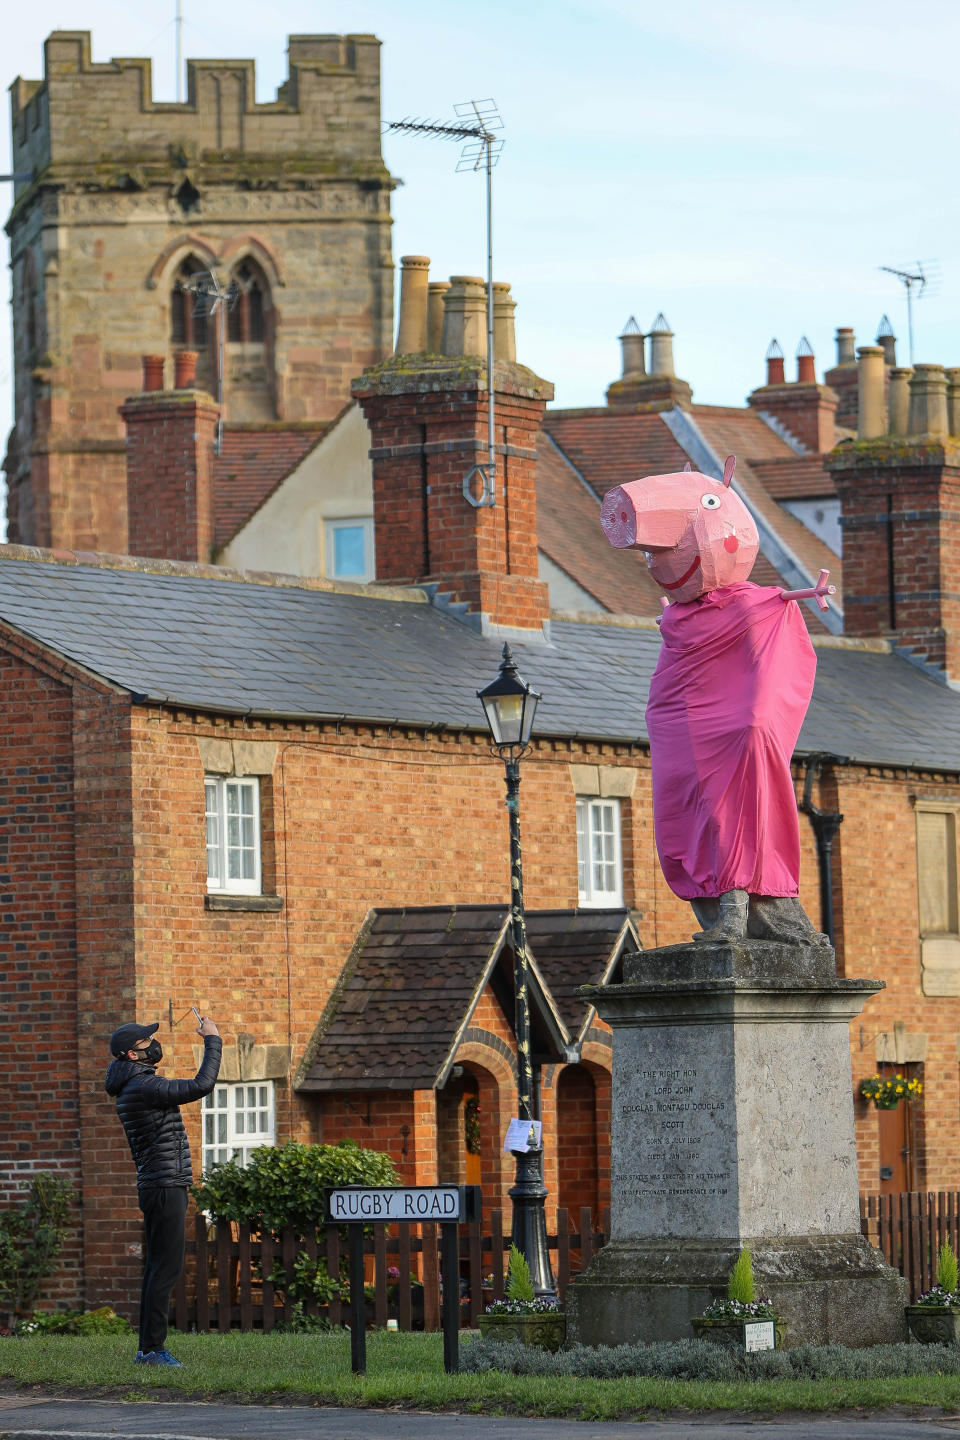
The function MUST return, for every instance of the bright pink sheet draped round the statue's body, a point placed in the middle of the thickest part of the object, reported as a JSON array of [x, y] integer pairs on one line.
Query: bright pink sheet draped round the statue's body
[[728, 702]]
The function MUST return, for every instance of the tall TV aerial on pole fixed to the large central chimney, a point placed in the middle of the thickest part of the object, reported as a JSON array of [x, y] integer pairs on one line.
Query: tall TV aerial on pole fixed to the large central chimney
[[476, 126]]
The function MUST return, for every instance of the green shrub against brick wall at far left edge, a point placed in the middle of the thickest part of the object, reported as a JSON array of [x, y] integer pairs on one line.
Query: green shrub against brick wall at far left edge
[[31, 1241]]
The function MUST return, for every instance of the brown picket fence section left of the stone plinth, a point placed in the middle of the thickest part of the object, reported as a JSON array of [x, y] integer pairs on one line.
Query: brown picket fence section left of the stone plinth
[[228, 1277]]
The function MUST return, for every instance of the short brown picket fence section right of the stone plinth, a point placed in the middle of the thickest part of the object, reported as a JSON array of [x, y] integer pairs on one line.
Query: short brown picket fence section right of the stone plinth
[[909, 1229]]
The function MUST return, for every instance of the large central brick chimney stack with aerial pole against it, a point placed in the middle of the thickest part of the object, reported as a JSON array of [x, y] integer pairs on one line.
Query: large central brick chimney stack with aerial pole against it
[[428, 421]]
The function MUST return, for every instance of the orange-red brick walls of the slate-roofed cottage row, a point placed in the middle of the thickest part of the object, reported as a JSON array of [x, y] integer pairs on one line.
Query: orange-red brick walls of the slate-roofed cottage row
[[372, 817]]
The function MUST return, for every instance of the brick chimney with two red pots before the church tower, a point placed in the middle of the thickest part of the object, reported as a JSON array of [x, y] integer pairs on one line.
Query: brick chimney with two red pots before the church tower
[[169, 462]]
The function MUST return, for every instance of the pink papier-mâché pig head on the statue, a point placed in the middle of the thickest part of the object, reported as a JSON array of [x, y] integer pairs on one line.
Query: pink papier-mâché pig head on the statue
[[697, 532]]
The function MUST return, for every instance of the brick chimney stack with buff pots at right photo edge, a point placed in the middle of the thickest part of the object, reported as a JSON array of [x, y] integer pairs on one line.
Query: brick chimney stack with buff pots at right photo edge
[[899, 495]]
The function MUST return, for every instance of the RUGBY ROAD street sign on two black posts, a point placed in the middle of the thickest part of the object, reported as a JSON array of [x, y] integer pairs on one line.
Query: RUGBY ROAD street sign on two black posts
[[448, 1206]]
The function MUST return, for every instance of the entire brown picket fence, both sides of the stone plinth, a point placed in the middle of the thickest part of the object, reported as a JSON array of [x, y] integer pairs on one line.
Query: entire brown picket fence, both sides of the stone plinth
[[227, 1282]]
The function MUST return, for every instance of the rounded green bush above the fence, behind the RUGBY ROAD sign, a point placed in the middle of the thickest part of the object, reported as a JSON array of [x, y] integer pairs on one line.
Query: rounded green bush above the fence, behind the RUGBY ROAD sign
[[284, 1184]]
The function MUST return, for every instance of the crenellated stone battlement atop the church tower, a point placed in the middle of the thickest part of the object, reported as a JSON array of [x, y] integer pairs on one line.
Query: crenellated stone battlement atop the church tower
[[326, 116]]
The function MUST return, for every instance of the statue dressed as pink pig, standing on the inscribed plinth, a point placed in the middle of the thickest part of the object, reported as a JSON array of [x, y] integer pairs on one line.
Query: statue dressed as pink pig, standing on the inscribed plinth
[[728, 701]]
